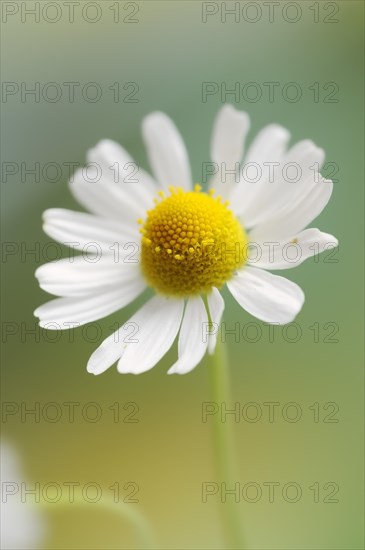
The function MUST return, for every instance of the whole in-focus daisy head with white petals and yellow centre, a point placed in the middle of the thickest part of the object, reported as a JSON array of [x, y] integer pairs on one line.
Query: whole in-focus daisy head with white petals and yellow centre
[[187, 243]]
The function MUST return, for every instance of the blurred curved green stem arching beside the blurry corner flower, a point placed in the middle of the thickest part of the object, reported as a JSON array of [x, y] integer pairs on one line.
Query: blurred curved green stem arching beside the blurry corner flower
[[126, 511]]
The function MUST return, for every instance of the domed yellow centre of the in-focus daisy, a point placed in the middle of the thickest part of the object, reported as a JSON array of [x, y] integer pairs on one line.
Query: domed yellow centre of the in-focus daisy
[[191, 242]]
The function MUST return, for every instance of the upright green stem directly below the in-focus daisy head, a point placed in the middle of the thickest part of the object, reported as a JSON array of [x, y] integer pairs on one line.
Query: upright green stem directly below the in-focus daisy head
[[224, 447]]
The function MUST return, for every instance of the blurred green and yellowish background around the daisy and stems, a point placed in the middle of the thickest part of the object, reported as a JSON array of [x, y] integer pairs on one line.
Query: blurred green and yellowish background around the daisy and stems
[[168, 453]]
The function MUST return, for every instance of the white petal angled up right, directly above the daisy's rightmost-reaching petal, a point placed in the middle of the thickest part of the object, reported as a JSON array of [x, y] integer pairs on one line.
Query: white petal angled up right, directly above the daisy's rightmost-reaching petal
[[298, 216]]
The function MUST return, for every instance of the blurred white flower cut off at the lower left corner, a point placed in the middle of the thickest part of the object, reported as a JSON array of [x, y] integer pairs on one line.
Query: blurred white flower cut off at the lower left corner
[[22, 526]]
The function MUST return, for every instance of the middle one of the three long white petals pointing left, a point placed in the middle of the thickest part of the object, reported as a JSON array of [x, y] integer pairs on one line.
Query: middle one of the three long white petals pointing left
[[80, 277]]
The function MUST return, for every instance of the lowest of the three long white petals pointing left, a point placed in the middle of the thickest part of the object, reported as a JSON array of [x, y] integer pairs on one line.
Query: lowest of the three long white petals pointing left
[[60, 313]]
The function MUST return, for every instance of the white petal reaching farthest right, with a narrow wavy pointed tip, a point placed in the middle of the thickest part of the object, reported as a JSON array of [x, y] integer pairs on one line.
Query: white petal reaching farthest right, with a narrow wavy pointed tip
[[292, 252]]
